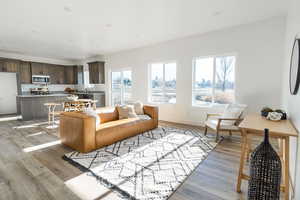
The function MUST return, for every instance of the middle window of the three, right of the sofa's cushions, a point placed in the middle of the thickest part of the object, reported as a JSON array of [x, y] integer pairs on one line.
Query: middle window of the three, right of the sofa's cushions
[[163, 83]]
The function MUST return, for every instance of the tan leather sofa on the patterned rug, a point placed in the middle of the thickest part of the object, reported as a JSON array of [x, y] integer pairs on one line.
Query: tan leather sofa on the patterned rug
[[79, 131]]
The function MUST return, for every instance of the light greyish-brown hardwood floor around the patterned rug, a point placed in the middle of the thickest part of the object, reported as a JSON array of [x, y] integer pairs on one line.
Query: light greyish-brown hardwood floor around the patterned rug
[[31, 166]]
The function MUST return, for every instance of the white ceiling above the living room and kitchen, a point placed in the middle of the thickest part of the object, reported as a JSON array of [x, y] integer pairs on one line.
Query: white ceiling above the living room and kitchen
[[78, 29]]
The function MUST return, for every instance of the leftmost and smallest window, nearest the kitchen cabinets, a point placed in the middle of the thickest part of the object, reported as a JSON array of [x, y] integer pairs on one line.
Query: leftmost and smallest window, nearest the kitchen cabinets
[[121, 87]]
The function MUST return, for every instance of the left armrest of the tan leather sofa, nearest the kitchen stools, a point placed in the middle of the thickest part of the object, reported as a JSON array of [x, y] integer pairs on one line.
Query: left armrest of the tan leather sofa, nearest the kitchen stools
[[78, 131]]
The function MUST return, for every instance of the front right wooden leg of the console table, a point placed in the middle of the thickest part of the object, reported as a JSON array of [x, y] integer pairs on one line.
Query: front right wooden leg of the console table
[[286, 168]]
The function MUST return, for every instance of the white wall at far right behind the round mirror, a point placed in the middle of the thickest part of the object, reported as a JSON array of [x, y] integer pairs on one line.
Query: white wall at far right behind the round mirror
[[292, 102]]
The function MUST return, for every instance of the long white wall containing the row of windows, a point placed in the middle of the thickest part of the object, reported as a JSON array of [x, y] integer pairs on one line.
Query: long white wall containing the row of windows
[[259, 50]]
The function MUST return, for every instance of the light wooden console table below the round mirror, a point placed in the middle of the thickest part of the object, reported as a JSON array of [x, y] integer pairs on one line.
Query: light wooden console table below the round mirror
[[254, 124]]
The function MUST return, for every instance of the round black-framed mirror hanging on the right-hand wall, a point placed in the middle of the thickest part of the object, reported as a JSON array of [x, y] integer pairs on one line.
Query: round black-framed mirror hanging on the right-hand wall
[[295, 68]]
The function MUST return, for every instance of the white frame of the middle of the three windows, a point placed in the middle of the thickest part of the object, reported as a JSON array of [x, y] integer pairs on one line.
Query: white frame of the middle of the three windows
[[164, 79]]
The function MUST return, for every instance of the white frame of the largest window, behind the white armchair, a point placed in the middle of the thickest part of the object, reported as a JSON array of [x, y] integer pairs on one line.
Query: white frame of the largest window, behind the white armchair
[[213, 79]]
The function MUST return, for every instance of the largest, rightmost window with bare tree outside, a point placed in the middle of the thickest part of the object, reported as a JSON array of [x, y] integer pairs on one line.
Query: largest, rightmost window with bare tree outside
[[213, 80]]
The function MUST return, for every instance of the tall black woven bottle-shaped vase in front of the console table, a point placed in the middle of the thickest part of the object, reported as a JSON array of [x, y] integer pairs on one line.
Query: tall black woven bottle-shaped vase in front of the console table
[[265, 172]]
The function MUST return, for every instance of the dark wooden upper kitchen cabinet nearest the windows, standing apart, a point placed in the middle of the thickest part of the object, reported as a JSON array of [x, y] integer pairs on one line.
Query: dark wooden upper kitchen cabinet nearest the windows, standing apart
[[97, 72]]
